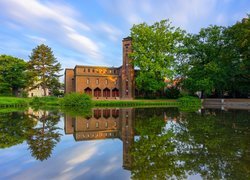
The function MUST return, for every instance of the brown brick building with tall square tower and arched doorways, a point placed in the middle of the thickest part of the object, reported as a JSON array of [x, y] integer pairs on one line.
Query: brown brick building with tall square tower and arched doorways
[[104, 82]]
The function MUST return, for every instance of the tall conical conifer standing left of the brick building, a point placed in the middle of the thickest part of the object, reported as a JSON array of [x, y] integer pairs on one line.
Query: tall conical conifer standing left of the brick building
[[44, 66]]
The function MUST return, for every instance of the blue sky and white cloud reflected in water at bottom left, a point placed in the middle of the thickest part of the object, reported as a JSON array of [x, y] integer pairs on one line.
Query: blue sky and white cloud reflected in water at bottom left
[[76, 160]]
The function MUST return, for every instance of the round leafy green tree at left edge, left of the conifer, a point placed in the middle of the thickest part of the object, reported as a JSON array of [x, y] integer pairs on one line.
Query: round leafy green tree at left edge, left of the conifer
[[13, 74]]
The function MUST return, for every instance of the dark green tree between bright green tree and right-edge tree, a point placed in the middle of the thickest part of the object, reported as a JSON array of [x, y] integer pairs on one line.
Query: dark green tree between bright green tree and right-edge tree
[[205, 69]]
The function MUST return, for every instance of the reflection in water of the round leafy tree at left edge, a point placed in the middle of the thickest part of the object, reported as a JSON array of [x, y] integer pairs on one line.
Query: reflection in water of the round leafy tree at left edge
[[14, 127]]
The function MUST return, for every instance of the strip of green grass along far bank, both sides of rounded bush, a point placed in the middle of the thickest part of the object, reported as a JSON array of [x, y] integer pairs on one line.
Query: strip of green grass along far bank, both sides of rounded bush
[[183, 103]]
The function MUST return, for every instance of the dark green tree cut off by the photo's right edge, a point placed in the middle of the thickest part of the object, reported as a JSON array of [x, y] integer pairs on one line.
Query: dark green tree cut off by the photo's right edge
[[237, 56]]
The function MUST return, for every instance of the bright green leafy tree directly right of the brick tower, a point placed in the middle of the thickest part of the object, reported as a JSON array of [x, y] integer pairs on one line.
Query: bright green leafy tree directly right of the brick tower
[[154, 48]]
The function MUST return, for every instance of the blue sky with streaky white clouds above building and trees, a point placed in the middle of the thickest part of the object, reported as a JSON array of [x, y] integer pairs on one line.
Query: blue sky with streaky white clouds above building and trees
[[90, 32]]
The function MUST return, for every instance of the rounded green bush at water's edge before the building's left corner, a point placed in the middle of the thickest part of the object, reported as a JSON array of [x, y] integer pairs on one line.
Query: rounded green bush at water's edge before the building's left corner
[[76, 99]]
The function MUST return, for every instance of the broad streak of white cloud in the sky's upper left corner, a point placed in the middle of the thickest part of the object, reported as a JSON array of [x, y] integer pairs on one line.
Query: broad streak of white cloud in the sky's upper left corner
[[55, 21]]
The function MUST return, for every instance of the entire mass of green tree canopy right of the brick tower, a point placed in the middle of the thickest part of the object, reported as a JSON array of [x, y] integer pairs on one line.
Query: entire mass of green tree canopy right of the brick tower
[[214, 61]]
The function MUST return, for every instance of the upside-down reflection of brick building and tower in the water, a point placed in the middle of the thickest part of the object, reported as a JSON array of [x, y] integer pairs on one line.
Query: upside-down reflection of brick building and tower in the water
[[103, 124]]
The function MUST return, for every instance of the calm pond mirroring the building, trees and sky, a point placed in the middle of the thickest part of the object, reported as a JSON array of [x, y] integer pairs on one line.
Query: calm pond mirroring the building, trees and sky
[[125, 143]]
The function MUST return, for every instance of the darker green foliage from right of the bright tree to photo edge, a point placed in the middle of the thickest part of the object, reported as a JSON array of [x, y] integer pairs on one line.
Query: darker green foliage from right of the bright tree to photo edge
[[216, 60]]
